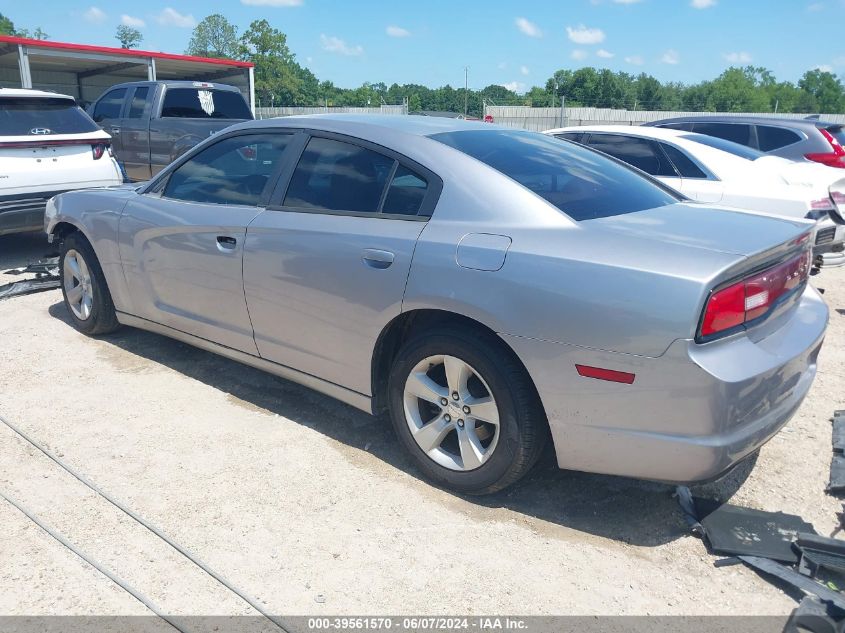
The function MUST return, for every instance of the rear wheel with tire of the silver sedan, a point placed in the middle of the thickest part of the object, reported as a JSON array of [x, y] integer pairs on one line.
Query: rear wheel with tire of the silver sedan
[[465, 410]]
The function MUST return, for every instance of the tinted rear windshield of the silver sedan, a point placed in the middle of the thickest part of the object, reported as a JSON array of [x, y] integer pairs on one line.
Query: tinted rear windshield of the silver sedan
[[582, 183]]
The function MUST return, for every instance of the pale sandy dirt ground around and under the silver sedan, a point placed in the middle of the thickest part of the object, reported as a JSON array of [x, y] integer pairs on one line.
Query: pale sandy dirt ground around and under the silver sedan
[[310, 507]]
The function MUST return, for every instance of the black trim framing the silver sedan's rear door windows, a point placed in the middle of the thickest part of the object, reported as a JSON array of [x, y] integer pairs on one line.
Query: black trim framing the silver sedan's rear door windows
[[427, 207]]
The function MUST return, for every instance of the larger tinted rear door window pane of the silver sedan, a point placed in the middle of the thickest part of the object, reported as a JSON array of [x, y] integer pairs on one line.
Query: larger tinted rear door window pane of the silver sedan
[[337, 176]]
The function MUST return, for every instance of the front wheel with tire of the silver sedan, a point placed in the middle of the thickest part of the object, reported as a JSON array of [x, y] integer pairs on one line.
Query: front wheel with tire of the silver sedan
[[86, 295]]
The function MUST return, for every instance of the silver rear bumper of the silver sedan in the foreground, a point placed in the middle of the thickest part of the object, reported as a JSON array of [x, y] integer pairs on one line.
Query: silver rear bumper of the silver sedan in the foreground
[[690, 414]]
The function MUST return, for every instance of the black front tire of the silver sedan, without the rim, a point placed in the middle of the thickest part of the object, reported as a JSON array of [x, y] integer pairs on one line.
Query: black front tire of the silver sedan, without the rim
[[102, 318]]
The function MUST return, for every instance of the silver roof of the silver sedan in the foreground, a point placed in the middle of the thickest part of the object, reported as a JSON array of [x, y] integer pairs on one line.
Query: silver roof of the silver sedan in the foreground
[[358, 123]]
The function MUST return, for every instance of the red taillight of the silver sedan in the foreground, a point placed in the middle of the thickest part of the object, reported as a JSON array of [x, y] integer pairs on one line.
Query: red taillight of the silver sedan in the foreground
[[754, 296]]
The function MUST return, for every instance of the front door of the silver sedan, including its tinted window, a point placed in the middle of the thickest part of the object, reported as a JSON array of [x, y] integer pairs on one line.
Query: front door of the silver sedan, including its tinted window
[[182, 246]]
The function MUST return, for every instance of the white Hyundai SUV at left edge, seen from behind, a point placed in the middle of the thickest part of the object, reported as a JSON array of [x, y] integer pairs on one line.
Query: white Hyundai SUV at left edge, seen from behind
[[48, 145]]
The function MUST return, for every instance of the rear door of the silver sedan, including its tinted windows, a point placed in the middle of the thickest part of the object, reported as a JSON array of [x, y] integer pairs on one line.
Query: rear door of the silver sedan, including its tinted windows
[[325, 266]]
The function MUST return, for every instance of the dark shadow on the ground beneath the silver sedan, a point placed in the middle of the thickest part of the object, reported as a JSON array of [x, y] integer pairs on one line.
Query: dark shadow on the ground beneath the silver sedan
[[626, 510]]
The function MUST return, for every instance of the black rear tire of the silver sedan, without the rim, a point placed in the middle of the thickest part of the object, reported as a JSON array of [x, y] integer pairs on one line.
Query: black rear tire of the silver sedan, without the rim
[[523, 429]]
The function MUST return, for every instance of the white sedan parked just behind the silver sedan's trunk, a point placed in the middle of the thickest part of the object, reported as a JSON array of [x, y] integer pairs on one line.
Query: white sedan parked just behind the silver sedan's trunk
[[713, 170]]
